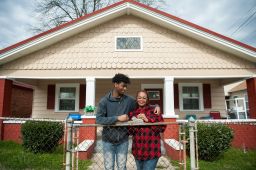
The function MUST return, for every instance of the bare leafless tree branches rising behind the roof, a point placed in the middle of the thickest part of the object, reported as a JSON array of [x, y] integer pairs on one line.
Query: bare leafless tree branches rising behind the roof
[[53, 13]]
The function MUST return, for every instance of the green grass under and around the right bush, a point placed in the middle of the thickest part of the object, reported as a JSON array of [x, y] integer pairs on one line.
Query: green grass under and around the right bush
[[233, 159]]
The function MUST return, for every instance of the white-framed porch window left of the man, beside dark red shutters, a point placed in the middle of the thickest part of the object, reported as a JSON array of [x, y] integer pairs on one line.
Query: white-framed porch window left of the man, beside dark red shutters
[[67, 97]]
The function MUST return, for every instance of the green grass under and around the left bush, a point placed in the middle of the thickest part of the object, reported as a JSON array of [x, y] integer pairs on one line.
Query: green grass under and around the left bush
[[13, 156]]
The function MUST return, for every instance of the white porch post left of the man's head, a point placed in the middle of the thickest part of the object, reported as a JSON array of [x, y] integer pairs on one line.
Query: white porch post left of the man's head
[[90, 91]]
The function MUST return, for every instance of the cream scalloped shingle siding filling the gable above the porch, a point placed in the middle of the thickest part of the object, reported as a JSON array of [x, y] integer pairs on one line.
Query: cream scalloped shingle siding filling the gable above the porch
[[92, 53]]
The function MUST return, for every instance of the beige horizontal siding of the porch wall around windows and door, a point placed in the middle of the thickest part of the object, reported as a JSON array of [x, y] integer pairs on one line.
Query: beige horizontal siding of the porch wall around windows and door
[[104, 85]]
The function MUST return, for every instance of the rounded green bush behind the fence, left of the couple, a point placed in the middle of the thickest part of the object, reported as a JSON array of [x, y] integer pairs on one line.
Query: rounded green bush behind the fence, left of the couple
[[41, 136]]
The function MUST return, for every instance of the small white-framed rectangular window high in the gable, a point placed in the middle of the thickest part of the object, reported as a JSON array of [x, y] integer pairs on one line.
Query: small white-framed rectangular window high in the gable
[[130, 43]]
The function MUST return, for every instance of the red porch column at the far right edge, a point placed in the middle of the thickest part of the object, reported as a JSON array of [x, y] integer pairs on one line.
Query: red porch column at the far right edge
[[251, 91]]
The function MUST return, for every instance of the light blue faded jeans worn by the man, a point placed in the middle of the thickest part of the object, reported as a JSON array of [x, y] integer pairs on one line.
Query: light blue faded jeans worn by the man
[[112, 152]]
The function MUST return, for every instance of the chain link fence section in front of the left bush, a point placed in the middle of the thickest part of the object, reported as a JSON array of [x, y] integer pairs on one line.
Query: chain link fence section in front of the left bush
[[28, 143]]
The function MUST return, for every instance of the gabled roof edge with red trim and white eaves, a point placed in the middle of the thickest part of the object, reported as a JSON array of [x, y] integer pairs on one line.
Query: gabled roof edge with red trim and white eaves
[[127, 7]]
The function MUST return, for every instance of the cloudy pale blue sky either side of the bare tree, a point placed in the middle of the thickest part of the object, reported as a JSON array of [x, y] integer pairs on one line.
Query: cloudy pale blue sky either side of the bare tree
[[233, 18]]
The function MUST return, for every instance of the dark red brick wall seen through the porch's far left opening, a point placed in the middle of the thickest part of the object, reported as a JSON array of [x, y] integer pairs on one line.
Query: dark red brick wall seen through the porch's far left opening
[[21, 101]]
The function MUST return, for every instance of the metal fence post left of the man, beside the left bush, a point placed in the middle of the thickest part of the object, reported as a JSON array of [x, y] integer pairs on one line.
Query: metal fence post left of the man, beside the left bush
[[69, 143]]
